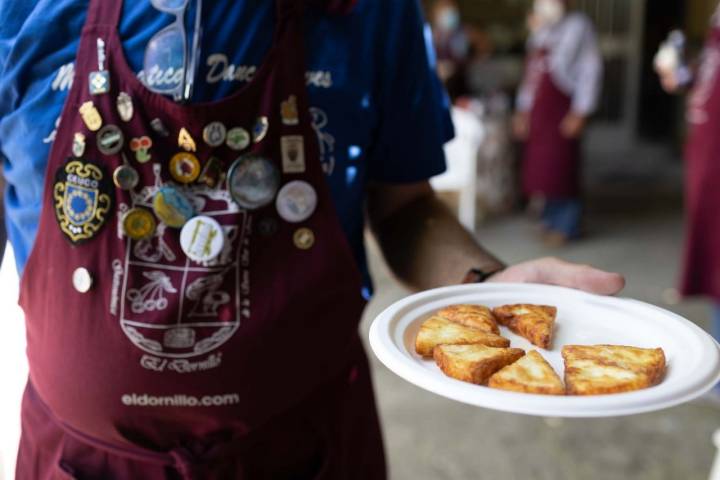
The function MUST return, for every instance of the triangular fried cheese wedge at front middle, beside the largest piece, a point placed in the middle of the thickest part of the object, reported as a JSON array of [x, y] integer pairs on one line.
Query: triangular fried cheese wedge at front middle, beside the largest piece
[[531, 374]]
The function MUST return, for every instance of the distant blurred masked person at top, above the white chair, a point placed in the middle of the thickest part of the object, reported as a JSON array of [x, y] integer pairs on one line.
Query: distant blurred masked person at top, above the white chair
[[452, 46]]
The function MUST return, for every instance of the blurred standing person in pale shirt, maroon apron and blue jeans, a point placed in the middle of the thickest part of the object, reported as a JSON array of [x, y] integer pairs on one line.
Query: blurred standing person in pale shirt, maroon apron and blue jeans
[[559, 92]]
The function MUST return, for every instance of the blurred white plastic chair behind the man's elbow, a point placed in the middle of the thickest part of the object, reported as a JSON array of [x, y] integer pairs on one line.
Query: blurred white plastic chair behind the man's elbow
[[462, 156]]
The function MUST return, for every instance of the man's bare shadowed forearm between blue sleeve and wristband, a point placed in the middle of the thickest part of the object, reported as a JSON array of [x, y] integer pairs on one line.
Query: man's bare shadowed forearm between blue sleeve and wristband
[[426, 247]]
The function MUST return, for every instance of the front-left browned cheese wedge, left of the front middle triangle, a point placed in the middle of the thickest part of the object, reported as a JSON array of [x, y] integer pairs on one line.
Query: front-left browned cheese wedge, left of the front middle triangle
[[474, 363]]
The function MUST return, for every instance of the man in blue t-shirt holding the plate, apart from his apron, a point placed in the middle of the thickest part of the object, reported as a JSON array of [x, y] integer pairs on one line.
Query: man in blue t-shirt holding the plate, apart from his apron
[[379, 113]]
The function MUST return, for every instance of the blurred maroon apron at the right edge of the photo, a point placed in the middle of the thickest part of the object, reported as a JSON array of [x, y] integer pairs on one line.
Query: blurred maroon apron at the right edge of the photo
[[701, 275]]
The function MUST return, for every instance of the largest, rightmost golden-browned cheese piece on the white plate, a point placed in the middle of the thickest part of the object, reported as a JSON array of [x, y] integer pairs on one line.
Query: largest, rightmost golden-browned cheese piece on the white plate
[[604, 369]]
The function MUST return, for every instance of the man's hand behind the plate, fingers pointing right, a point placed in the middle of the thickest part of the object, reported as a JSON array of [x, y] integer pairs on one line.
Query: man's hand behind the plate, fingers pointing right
[[553, 271]]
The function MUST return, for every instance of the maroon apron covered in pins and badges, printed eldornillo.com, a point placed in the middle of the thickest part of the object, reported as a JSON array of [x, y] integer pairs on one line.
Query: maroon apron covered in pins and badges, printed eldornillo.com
[[248, 366]]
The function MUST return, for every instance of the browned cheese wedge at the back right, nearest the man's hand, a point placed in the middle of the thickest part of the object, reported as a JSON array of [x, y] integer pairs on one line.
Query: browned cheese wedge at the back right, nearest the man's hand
[[534, 322]]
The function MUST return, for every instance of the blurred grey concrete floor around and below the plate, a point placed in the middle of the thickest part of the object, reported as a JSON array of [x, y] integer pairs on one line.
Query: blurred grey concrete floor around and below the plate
[[632, 228]]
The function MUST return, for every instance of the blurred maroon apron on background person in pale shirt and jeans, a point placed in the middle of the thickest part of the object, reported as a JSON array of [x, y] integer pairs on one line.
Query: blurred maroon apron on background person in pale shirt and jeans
[[551, 163]]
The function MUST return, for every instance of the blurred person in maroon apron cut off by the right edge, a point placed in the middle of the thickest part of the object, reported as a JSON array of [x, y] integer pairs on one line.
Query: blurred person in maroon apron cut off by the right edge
[[701, 271]]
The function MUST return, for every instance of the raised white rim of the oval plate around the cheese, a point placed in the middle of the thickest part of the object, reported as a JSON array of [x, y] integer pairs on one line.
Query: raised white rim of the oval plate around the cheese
[[629, 403]]
